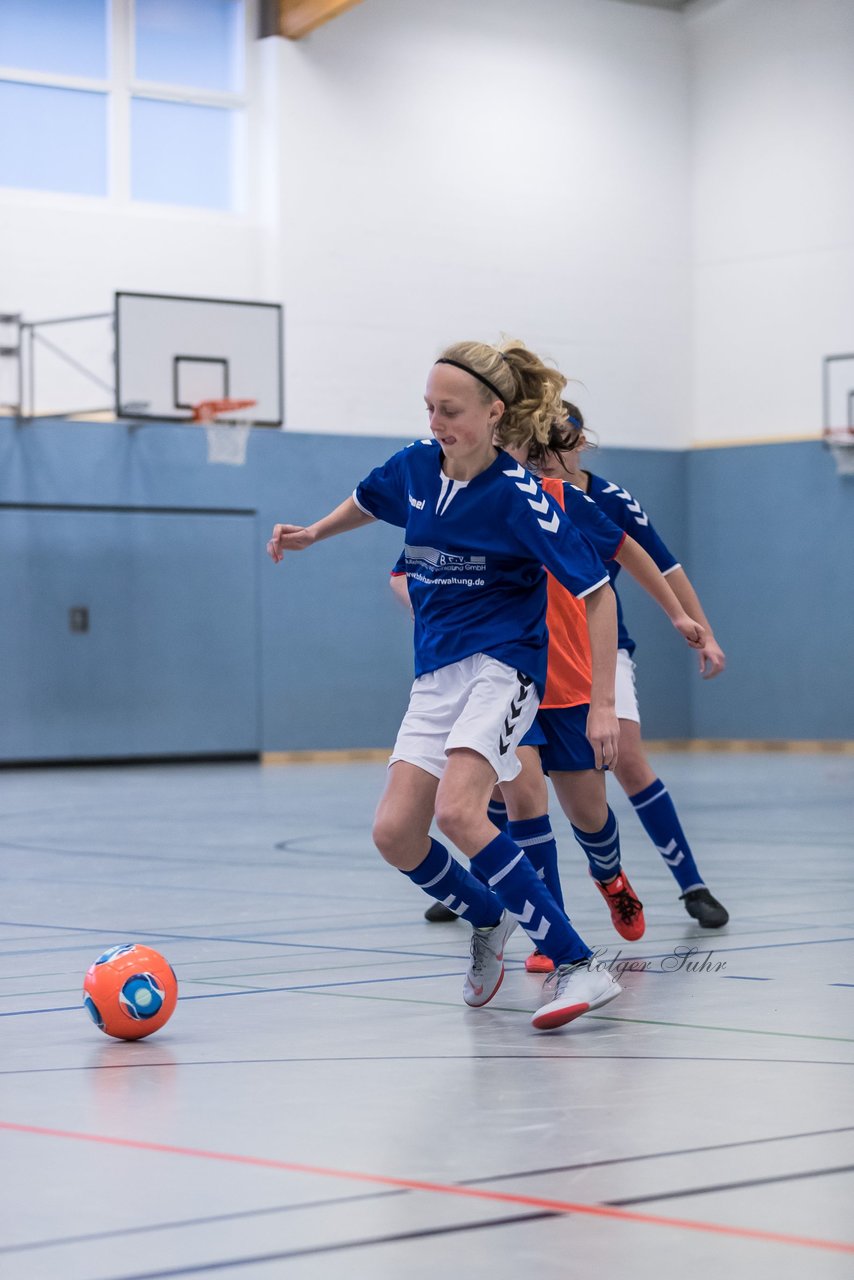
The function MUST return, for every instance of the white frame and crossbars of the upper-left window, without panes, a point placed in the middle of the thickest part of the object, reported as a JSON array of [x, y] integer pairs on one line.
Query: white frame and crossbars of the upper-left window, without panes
[[120, 89]]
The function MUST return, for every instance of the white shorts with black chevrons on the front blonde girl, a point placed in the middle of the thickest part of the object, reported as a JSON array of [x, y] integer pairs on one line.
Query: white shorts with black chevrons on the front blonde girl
[[478, 703]]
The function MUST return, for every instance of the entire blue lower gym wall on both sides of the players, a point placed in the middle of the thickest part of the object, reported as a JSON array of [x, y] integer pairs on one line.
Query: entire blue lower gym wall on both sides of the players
[[199, 644]]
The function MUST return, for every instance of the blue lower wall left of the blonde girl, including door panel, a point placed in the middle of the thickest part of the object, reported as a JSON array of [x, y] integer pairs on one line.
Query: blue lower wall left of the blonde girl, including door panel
[[198, 643]]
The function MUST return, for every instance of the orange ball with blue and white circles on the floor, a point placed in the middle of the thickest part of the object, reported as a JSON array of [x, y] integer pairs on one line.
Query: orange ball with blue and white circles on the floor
[[130, 991]]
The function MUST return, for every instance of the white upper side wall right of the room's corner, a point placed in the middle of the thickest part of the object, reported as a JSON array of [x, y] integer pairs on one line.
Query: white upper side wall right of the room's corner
[[773, 106]]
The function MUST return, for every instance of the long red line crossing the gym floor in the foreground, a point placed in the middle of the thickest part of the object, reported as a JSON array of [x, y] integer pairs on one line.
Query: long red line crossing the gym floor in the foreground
[[743, 1233]]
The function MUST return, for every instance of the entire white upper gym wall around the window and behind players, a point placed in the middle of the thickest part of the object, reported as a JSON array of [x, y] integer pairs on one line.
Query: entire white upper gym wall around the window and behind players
[[660, 200]]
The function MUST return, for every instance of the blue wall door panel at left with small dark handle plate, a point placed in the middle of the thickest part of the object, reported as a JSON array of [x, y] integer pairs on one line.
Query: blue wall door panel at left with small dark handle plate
[[168, 664]]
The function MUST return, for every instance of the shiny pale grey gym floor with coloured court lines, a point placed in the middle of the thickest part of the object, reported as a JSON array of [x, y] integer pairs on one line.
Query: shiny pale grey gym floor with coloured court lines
[[322, 1103]]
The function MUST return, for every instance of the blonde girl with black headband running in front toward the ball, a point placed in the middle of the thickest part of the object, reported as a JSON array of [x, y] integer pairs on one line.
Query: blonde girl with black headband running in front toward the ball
[[478, 533]]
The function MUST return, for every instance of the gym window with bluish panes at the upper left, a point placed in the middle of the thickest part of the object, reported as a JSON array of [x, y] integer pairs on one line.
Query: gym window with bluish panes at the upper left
[[130, 100]]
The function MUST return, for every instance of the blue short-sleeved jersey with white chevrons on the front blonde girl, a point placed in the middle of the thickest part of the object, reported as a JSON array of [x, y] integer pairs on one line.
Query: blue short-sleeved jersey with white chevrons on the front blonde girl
[[476, 552]]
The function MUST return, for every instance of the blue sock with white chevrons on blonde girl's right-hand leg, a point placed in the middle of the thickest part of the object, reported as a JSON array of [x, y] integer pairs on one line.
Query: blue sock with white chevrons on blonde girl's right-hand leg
[[524, 895]]
